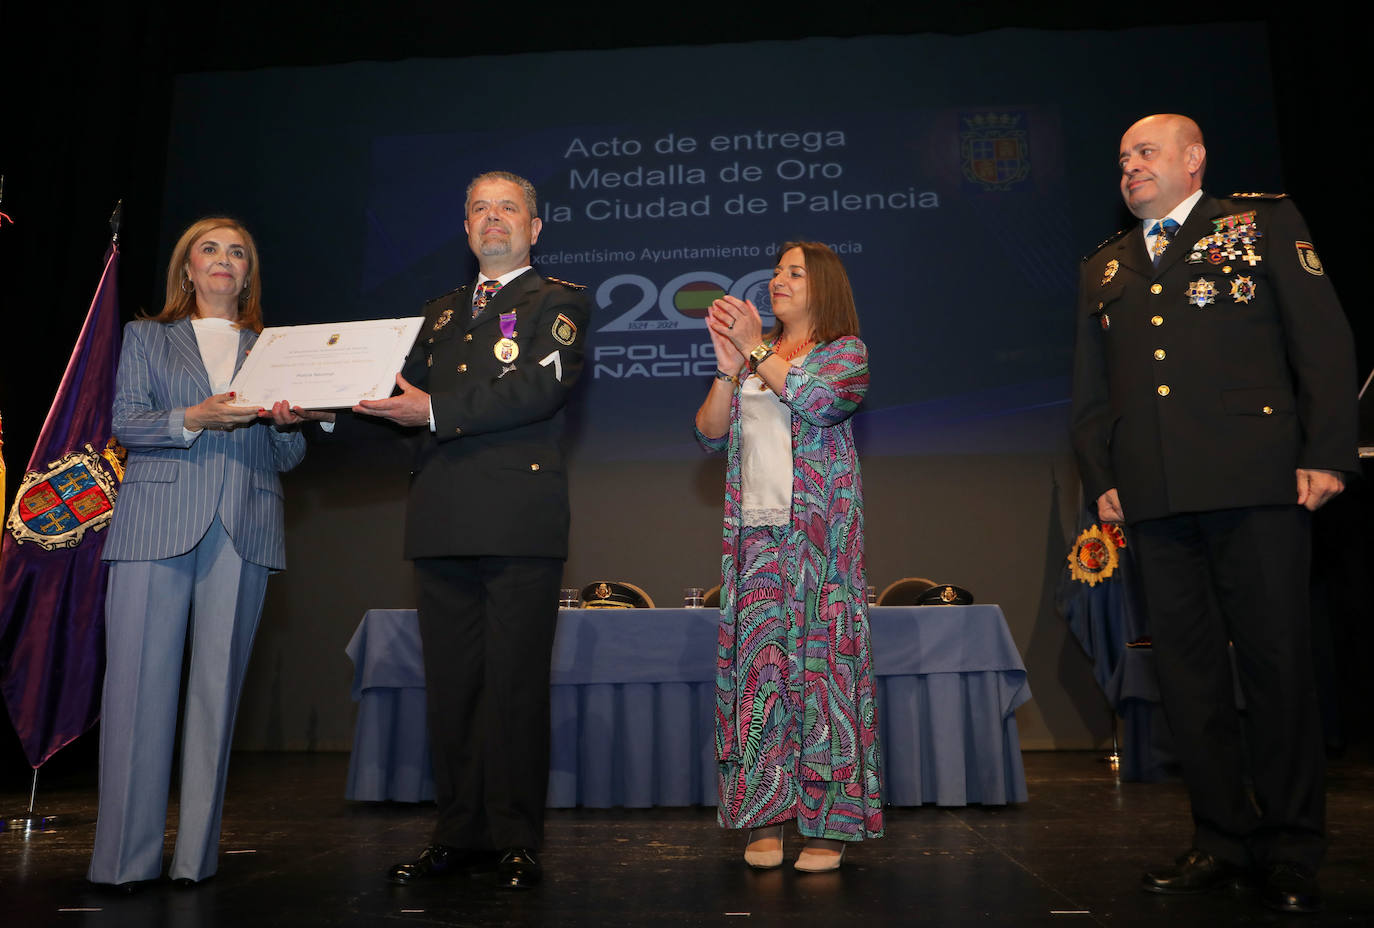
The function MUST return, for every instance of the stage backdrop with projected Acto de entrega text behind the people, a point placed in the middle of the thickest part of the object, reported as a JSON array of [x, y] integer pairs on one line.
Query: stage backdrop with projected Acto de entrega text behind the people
[[960, 178]]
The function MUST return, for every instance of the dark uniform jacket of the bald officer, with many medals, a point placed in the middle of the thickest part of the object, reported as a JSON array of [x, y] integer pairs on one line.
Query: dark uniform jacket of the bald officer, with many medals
[[1203, 384]]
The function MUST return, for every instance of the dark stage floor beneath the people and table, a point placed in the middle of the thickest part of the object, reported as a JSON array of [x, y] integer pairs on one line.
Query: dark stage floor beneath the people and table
[[295, 853]]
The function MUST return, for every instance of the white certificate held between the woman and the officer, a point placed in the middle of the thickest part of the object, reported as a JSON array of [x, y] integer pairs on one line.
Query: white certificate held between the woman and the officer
[[325, 366]]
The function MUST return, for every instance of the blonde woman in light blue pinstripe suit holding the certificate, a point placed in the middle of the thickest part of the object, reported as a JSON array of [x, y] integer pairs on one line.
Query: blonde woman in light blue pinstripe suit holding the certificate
[[197, 530]]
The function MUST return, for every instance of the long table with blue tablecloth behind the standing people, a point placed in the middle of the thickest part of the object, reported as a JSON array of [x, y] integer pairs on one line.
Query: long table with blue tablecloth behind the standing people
[[633, 699]]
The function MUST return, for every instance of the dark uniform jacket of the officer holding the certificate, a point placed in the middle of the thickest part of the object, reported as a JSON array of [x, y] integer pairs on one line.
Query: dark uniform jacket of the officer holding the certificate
[[490, 480]]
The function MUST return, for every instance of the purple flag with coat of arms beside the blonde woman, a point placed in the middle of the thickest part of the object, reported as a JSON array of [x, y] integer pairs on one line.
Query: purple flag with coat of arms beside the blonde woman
[[52, 575]]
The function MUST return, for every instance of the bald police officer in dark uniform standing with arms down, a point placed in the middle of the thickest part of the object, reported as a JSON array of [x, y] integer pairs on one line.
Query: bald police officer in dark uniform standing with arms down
[[1214, 410]]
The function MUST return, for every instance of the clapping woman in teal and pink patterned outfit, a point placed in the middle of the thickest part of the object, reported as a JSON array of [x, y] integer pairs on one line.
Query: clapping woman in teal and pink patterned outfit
[[796, 724]]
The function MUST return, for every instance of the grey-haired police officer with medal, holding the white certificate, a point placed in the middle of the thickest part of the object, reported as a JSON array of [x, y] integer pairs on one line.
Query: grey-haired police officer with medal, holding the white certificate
[[487, 527]]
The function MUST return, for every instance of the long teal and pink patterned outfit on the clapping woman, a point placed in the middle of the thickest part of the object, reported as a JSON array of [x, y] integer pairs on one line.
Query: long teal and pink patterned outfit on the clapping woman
[[796, 721]]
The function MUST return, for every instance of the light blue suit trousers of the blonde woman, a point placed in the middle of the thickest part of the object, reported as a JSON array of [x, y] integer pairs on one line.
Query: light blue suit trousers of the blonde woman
[[149, 610]]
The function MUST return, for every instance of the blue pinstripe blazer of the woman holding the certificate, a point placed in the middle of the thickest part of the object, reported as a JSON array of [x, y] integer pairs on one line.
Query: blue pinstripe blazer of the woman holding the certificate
[[174, 489]]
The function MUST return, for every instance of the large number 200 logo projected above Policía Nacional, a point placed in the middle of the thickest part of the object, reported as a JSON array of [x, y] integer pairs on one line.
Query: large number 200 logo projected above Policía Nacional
[[684, 302]]
